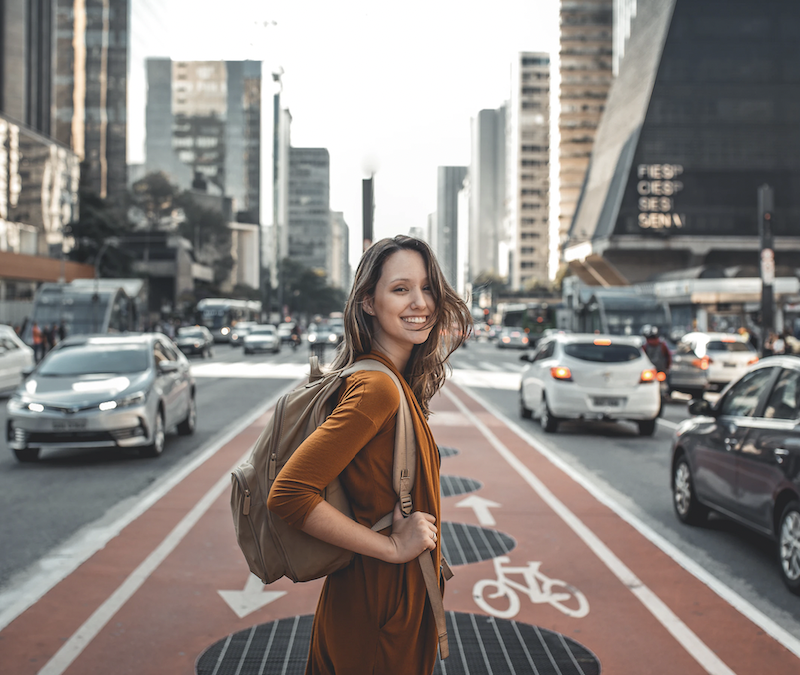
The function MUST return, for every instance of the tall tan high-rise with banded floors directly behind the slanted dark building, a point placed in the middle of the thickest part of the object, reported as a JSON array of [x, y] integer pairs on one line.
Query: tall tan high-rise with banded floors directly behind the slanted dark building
[[586, 36]]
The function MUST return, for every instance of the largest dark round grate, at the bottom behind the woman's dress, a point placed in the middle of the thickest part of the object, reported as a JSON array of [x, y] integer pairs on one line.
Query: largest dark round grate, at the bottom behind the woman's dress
[[478, 644]]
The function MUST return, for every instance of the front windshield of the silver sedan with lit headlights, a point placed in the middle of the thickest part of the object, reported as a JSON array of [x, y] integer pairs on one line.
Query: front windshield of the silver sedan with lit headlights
[[91, 359]]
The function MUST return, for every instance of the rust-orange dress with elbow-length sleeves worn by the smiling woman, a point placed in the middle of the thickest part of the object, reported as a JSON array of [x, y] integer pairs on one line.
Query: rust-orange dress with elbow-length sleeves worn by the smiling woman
[[372, 617]]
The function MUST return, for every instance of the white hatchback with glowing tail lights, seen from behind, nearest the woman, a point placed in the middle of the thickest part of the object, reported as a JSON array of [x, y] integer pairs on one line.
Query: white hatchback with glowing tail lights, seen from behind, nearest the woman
[[592, 377]]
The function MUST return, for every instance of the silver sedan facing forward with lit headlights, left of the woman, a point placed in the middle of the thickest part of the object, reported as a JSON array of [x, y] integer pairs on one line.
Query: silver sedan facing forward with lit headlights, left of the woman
[[104, 391]]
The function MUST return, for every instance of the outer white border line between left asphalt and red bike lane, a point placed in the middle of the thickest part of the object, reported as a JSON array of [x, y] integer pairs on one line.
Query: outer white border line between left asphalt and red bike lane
[[66, 558]]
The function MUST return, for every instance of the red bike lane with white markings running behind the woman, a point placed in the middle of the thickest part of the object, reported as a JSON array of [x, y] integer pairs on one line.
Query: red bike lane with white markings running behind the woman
[[150, 601]]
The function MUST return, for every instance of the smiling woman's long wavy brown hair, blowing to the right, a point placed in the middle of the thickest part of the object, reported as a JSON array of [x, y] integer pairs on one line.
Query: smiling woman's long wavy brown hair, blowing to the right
[[425, 371]]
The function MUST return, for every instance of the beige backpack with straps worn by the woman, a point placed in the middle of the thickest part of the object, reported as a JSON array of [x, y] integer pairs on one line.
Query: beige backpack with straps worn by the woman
[[274, 549]]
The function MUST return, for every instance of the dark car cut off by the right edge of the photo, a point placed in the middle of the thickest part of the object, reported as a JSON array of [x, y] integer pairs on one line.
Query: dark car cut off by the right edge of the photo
[[741, 458]]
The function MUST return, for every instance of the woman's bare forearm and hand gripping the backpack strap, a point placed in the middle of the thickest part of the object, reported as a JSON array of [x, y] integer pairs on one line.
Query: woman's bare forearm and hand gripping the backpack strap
[[410, 536]]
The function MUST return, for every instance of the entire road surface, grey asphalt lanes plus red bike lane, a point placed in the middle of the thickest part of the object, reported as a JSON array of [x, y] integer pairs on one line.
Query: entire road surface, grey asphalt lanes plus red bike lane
[[110, 559]]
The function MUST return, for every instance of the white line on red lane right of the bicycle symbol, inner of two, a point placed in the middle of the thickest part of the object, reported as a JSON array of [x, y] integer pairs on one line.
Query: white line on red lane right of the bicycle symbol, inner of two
[[696, 648]]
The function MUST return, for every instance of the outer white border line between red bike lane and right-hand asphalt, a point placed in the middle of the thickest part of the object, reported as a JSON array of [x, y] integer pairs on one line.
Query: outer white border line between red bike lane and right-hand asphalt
[[725, 592]]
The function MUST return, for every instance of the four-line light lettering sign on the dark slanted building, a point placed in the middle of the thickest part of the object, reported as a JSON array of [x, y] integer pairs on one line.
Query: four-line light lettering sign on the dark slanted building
[[658, 186]]
